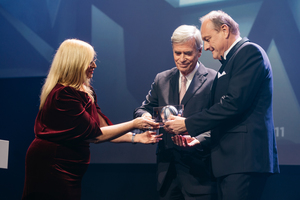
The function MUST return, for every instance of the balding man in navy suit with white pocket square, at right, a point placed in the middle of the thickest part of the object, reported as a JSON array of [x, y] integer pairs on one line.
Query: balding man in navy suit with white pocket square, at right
[[240, 116]]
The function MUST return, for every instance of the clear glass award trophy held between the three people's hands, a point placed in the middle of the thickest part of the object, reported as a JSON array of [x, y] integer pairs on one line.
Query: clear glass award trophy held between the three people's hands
[[163, 113]]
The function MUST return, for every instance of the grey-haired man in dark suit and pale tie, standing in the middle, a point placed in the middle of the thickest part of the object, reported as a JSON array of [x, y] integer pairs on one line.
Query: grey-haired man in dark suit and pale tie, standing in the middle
[[183, 173]]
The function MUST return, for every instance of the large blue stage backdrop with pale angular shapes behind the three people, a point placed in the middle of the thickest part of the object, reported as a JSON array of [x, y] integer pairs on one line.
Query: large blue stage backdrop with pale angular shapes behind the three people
[[132, 40]]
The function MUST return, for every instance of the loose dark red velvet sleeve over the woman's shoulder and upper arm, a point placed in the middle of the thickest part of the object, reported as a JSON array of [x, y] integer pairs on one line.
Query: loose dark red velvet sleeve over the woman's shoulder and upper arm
[[67, 116]]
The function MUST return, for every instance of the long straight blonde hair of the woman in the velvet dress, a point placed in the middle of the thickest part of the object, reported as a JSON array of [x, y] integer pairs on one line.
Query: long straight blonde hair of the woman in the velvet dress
[[68, 68]]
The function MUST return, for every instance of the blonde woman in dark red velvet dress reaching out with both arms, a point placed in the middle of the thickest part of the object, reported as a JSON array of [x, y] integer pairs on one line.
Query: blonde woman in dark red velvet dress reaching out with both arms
[[68, 119]]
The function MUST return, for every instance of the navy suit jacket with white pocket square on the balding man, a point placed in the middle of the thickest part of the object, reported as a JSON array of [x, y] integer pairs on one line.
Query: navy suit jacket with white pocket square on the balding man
[[240, 117]]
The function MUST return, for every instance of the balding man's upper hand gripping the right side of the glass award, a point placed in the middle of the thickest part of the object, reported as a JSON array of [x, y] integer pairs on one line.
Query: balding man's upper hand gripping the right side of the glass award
[[175, 125]]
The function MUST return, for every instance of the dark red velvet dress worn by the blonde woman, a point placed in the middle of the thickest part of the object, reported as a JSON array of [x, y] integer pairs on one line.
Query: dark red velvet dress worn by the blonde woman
[[59, 156]]
